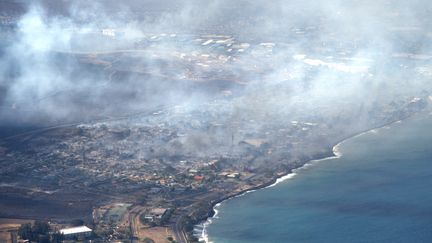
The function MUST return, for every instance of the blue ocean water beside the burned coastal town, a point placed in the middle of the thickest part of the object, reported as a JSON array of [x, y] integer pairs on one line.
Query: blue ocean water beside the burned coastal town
[[379, 190]]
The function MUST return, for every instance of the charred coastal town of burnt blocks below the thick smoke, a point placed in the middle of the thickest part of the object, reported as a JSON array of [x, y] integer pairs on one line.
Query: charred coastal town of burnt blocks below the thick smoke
[[147, 176]]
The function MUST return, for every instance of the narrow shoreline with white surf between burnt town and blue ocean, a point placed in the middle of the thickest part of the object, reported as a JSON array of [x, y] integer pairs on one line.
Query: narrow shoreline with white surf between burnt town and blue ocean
[[335, 154]]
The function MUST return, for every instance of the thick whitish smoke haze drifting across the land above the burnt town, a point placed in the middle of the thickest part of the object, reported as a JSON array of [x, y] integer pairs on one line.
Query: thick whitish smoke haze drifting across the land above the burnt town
[[69, 61]]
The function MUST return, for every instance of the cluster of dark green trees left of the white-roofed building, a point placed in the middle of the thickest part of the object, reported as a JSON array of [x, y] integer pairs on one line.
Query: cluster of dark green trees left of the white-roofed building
[[40, 232]]
